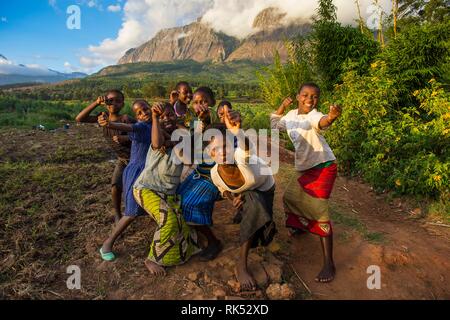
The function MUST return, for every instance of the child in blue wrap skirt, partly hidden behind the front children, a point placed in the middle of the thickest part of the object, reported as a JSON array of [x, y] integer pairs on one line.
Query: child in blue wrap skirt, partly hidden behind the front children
[[198, 193]]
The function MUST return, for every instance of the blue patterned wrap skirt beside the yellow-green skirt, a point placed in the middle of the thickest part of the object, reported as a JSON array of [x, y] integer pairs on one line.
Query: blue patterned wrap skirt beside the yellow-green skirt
[[198, 195]]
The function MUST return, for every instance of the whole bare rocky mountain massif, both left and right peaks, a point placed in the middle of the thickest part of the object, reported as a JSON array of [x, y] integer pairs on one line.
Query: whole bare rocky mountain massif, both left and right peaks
[[201, 43]]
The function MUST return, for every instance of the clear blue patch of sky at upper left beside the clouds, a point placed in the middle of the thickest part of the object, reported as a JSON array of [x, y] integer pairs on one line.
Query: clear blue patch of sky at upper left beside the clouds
[[35, 32]]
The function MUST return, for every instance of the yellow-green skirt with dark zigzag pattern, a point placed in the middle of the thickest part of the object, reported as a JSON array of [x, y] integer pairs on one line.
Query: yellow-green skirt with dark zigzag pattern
[[173, 242]]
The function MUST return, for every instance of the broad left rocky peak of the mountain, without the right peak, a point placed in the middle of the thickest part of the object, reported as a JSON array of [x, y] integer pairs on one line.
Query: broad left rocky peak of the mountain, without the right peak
[[196, 42]]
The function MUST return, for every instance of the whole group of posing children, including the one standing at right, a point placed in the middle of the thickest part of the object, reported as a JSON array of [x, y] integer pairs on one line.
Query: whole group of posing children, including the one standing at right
[[157, 176]]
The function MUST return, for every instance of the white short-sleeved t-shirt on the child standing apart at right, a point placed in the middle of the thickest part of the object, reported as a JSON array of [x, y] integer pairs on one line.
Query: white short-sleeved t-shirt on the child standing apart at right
[[311, 148]]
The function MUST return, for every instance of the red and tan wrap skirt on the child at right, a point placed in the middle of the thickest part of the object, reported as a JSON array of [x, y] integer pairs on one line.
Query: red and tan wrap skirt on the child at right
[[306, 200]]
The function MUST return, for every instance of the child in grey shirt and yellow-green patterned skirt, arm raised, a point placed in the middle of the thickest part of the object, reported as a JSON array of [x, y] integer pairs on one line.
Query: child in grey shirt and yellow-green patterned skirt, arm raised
[[173, 242]]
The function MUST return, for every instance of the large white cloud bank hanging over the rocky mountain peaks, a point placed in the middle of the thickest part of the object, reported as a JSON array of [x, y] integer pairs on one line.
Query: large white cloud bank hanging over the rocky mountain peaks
[[144, 18]]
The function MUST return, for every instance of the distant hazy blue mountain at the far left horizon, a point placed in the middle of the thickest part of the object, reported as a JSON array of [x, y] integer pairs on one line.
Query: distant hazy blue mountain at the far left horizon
[[11, 73]]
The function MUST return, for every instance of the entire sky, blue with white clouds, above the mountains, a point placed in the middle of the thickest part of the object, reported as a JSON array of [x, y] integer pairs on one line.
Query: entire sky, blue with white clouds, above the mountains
[[34, 32]]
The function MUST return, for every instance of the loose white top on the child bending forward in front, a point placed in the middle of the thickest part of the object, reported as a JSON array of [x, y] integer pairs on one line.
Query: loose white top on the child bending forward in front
[[257, 174]]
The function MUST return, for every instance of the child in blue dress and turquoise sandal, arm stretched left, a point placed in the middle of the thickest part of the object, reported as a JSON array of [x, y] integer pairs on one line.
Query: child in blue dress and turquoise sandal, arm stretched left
[[140, 134]]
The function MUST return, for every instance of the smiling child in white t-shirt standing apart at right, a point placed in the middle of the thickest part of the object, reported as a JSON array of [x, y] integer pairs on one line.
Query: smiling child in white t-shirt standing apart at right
[[306, 197]]
